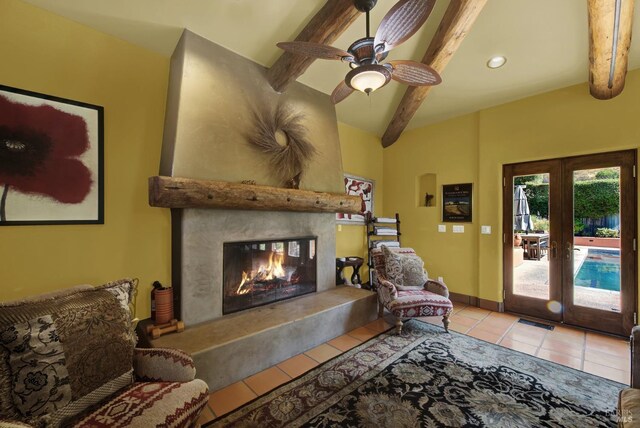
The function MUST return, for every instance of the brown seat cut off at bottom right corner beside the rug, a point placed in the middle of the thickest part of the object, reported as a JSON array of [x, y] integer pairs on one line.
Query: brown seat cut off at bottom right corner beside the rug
[[629, 401]]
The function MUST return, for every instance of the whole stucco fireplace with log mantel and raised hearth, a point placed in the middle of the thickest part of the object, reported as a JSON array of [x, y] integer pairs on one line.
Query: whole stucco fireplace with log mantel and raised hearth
[[212, 98]]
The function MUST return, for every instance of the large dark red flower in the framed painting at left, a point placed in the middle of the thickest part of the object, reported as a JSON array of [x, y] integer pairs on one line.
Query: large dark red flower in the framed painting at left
[[39, 146]]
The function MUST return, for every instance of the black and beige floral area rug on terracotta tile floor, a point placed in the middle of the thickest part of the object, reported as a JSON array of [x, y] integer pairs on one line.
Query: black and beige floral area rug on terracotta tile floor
[[428, 378]]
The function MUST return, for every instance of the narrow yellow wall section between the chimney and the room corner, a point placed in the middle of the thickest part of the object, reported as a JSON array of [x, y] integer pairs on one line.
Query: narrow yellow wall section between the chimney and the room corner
[[361, 156]]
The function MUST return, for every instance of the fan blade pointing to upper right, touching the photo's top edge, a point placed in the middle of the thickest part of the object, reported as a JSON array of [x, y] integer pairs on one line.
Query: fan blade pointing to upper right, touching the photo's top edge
[[401, 22]]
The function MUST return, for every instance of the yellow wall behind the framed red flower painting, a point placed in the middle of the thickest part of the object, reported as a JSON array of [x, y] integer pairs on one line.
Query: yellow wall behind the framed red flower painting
[[46, 53]]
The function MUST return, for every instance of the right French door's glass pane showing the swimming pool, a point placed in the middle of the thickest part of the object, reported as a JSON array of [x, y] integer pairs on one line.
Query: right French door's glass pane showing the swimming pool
[[596, 241]]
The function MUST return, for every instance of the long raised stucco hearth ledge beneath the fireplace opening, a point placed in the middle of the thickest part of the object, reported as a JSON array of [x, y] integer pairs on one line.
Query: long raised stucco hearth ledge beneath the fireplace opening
[[235, 346]]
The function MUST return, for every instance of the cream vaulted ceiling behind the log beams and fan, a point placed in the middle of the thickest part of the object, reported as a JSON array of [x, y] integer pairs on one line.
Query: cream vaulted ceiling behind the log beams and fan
[[545, 41]]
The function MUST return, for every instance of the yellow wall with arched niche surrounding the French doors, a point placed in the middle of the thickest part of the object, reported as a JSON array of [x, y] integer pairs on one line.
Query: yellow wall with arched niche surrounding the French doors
[[473, 148]]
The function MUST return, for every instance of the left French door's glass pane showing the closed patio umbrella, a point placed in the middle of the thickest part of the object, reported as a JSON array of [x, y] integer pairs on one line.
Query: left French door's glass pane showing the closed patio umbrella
[[531, 236]]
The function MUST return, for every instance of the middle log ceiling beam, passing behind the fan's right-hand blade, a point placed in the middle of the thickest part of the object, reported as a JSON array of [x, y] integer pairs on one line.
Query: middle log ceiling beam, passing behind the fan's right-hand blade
[[455, 24]]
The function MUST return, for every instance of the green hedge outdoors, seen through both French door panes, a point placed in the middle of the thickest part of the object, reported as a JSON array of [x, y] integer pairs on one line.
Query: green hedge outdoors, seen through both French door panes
[[592, 199]]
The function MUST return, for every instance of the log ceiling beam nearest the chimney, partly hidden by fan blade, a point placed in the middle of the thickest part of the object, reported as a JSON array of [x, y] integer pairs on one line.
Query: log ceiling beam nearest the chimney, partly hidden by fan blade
[[325, 27]]
